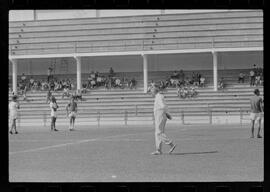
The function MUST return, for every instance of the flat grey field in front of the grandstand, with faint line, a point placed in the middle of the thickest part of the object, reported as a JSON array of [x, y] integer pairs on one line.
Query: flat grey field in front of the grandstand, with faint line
[[123, 153]]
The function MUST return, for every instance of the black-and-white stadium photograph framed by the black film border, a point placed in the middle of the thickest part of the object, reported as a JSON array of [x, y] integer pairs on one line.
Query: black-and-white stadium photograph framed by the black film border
[[136, 95]]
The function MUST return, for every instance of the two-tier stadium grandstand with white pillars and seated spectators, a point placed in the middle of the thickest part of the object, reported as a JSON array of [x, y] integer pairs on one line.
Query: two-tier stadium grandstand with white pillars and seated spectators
[[52, 47]]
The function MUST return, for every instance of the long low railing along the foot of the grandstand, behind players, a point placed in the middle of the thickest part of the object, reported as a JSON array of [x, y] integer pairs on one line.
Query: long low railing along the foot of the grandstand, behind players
[[204, 115]]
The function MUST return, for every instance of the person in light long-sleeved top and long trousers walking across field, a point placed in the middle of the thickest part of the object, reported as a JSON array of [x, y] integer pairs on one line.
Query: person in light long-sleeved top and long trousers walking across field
[[161, 114]]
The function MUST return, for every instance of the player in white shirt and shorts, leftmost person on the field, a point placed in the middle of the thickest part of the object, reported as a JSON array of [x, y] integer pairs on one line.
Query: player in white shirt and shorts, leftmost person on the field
[[13, 107]]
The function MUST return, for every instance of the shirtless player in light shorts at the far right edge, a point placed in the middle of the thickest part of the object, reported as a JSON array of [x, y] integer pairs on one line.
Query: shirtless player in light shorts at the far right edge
[[256, 112]]
